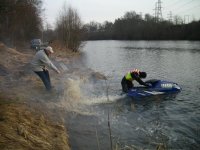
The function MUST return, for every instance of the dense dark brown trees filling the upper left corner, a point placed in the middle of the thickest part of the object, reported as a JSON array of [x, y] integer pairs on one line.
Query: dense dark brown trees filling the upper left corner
[[20, 20]]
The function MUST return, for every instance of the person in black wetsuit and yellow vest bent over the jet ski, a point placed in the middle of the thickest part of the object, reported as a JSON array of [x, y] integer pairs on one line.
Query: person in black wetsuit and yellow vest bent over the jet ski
[[135, 74]]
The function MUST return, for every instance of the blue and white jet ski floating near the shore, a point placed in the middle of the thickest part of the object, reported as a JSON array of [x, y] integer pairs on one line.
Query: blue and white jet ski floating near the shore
[[158, 87]]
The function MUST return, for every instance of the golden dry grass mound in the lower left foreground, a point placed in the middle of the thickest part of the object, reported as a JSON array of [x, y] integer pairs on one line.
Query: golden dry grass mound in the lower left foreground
[[23, 128]]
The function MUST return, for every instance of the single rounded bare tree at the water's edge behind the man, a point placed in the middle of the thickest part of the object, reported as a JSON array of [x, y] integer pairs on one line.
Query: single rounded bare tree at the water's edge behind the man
[[68, 28]]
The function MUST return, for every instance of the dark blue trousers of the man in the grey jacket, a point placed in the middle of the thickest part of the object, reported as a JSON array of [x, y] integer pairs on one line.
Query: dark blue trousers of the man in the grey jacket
[[44, 76]]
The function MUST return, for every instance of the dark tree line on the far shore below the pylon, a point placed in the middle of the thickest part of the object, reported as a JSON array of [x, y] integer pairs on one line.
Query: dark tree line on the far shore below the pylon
[[133, 26]]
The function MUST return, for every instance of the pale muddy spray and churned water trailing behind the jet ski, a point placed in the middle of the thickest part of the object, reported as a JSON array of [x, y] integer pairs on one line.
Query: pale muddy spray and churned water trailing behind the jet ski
[[79, 93]]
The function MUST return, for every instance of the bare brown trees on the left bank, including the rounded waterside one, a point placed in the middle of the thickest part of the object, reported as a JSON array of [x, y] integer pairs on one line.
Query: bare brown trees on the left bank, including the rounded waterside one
[[22, 21]]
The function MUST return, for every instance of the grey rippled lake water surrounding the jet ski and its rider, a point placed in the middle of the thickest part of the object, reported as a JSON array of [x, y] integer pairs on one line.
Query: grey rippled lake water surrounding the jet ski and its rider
[[168, 122]]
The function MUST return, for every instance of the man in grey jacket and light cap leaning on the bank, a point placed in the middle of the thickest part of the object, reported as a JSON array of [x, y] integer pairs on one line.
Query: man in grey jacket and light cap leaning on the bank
[[40, 63]]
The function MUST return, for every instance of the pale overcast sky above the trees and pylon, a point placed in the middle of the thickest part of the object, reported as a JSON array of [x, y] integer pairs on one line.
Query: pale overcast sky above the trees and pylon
[[109, 10]]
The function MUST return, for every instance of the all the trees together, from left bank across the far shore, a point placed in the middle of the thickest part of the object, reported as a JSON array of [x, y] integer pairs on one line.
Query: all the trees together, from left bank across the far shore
[[21, 21]]
